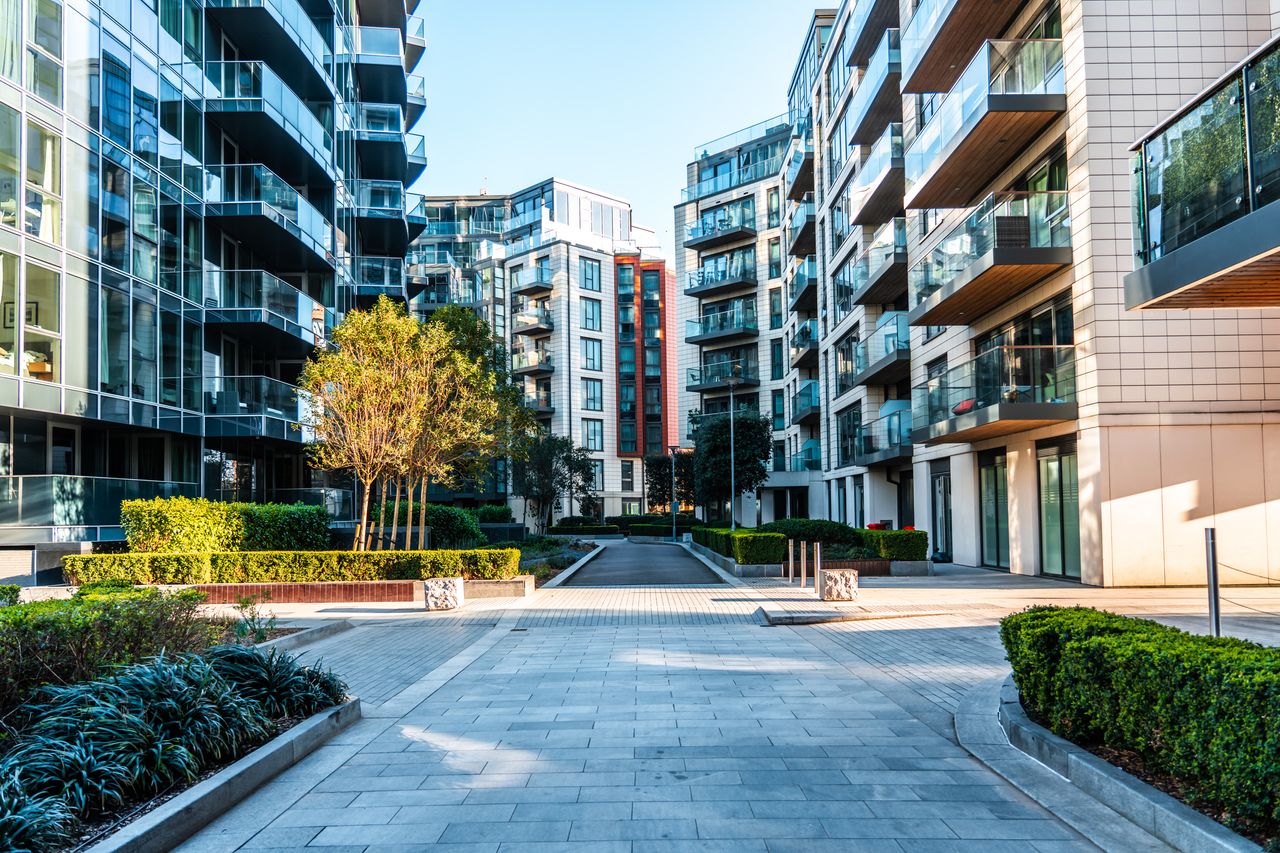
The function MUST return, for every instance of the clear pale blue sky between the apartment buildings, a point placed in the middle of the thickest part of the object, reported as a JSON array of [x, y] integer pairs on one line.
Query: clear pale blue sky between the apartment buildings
[[607, 94]]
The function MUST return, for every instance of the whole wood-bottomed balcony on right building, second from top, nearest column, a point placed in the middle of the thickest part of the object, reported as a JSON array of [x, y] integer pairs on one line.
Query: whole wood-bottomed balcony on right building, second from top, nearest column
[[1008, 95]]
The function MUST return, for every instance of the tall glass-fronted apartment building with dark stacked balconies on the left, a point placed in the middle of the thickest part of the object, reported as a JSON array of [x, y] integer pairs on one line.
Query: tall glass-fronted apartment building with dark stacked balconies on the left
[[190, 197]]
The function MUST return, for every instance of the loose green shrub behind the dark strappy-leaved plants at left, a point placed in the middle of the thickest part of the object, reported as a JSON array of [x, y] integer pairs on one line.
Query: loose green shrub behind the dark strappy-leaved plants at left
[[67, 641]]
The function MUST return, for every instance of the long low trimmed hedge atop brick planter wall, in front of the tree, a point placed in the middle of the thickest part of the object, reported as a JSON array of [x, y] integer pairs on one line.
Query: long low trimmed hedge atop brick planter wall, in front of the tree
[[291, 567]]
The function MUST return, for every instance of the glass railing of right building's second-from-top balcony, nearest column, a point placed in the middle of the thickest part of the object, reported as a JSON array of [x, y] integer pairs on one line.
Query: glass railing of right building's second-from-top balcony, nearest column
[[1032, 67]]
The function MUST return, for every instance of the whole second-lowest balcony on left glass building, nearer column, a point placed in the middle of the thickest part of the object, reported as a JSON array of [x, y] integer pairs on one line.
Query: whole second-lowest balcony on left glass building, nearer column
[[266, 312]]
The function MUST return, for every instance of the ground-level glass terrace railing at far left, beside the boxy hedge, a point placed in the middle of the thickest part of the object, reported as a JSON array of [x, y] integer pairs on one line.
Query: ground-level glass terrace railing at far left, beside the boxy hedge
[[65, 501]]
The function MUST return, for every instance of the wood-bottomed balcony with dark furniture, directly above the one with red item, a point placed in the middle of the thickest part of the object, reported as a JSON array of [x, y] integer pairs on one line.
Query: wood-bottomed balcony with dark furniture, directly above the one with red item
[[1004, 245]]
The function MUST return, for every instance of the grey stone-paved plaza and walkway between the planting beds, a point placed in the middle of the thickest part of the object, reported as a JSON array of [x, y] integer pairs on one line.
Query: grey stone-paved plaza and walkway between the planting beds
[[670, 718]]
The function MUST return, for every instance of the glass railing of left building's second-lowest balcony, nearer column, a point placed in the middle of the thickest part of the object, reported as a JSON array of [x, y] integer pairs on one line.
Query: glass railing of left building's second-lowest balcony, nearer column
[[243, 295]]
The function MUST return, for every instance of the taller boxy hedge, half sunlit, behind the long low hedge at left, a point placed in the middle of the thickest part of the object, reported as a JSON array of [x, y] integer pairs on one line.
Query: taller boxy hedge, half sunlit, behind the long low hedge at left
[[182, 524]]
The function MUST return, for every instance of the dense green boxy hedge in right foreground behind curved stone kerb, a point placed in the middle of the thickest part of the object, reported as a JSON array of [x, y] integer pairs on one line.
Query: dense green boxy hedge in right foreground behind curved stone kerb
[[1200, 709]]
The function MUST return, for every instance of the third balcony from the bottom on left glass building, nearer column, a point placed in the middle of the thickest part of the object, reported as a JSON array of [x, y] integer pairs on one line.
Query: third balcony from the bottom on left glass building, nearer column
[[262, 211]]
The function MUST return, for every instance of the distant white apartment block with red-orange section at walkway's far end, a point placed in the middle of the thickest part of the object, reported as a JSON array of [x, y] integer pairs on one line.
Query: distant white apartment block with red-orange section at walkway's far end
[[582, 299]]
